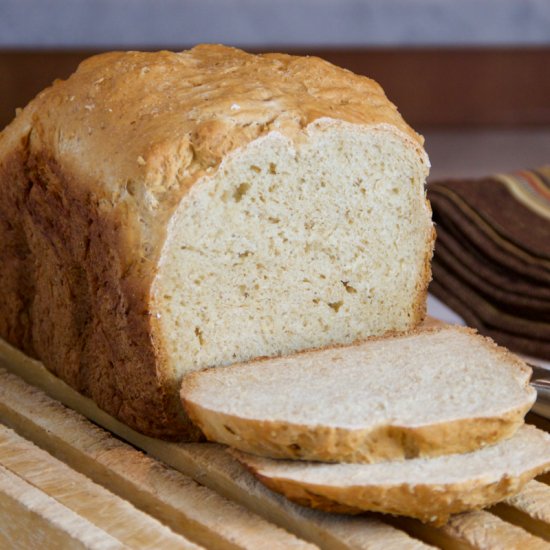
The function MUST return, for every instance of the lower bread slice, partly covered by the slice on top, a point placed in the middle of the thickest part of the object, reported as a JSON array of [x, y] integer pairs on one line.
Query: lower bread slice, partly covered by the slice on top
[[430, 489]]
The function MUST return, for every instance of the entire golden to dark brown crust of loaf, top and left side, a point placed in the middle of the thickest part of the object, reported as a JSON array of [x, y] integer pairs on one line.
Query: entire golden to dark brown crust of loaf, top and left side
[[91, 171]]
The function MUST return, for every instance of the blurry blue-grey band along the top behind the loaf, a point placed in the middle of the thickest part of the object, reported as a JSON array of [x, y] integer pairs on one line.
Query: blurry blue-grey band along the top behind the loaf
[[150, 23]]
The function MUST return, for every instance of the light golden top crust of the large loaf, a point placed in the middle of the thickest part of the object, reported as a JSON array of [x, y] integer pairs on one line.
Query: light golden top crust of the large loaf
[[138, 129]]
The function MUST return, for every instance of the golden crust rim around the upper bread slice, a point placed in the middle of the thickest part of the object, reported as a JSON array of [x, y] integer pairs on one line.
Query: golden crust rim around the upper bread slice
[[277, 439]]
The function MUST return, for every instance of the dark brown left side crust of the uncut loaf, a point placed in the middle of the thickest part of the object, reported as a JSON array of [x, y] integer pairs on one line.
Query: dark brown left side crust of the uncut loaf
[[71, 294]]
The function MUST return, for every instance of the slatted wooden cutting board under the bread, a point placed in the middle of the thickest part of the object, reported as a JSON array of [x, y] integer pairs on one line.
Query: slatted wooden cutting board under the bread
[[83, 480]]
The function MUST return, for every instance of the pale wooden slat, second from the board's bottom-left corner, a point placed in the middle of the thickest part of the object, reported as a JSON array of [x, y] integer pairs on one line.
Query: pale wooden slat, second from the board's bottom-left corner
[[88, 500]]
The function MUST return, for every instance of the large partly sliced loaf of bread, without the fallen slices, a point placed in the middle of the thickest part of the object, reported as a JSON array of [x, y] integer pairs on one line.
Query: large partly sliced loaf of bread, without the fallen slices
[[165, 212]]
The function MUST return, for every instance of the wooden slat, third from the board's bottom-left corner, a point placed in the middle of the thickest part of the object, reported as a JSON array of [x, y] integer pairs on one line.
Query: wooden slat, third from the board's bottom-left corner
[[171, 497]]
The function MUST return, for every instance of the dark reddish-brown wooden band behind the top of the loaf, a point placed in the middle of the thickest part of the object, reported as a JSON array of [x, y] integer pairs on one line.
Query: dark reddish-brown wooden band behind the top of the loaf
[[432, 87]]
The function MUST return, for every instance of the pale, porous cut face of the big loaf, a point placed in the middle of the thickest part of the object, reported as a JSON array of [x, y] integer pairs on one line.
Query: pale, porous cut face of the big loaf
[[296, 244]]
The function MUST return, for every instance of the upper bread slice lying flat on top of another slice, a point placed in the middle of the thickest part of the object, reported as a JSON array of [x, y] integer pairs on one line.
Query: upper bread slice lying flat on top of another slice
[[432, 392]]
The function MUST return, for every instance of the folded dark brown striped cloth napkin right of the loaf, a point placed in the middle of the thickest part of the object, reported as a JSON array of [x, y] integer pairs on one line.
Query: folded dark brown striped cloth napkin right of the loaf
[[492, 256]]
